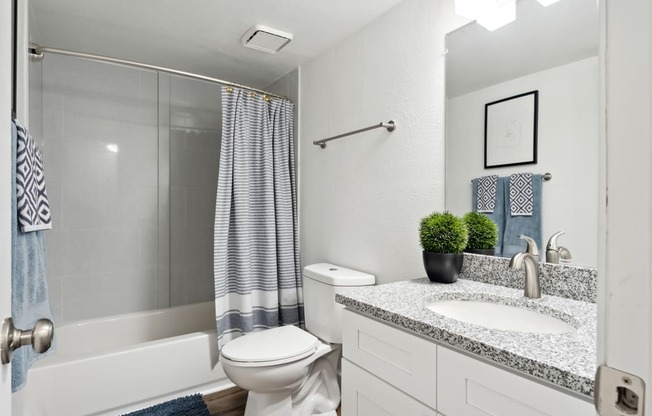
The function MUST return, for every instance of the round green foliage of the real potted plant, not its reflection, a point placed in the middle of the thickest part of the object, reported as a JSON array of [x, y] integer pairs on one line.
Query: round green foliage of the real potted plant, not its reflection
[[442, 232]]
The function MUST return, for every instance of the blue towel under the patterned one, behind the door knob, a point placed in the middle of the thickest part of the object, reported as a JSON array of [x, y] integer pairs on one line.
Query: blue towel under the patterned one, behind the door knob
[[29, 289]]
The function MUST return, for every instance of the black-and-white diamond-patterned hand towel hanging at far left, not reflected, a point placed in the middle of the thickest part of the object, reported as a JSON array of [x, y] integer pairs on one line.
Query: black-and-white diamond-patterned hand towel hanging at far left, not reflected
[[32, 199]]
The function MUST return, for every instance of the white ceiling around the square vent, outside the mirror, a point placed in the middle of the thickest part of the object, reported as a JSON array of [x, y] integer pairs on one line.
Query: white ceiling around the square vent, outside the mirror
[[201, 36]]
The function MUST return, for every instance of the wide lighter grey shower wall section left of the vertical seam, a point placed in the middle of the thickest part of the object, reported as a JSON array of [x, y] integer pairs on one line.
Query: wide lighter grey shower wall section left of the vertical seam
[[100, 135]]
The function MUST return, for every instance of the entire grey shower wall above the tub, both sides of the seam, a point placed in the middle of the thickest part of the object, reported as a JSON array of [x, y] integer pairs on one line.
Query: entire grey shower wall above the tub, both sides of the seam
[[127, 237]]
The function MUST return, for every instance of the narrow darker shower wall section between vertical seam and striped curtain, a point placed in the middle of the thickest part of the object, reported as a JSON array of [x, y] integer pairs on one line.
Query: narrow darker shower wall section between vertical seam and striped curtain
[[195, 131]]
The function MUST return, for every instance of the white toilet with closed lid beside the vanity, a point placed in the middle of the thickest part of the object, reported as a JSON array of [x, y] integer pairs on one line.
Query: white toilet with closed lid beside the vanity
[[289, 371]]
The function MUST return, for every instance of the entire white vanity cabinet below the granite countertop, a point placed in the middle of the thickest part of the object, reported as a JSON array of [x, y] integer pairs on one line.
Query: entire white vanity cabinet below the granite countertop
[[388, 371]]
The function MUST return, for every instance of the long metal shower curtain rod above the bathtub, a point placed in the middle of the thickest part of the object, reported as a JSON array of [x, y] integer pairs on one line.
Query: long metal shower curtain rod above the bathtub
[[37, 52]]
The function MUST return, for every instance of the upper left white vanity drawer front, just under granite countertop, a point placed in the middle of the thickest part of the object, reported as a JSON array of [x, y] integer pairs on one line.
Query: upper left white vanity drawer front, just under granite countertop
[[402, 359]]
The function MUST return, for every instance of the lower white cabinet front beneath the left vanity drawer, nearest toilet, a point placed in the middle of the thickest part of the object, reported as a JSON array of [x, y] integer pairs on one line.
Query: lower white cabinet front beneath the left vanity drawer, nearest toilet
[[364, 394]]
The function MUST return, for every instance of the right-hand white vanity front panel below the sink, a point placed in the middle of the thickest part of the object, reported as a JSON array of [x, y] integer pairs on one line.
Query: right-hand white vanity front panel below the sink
[[468, 387]]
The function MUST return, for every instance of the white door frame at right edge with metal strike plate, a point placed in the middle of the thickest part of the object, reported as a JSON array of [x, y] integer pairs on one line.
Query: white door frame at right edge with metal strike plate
[[625, 218]]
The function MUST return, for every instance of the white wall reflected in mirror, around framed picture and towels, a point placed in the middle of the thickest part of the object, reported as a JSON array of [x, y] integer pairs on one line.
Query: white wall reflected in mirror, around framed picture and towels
[[567, 148]]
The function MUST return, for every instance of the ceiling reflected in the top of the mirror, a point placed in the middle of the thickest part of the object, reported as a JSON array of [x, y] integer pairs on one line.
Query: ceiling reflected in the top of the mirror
[[540, 38]]
